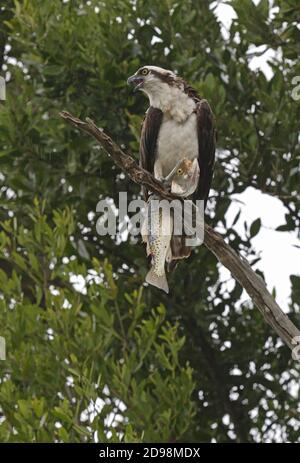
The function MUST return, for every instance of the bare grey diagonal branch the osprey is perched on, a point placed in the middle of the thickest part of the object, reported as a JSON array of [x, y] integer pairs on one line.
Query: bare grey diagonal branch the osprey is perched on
[[238, 266]]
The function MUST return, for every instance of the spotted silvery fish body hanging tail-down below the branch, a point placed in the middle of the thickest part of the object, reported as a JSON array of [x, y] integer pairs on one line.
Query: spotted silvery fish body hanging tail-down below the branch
[[157, 232]]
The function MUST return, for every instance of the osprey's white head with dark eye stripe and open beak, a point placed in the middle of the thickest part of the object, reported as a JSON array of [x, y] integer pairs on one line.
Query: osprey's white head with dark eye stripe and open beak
[[150, 78]]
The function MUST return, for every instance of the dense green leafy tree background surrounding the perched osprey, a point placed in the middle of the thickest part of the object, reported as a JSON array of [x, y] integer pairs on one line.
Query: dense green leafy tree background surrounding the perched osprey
[[93, 353]]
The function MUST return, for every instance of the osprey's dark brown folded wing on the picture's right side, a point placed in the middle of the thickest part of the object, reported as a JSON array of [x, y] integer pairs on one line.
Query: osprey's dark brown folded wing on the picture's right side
[[207, 146]]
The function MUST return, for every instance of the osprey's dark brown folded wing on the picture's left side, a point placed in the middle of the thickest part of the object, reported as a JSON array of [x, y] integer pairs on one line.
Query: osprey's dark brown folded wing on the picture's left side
[[150, 131]]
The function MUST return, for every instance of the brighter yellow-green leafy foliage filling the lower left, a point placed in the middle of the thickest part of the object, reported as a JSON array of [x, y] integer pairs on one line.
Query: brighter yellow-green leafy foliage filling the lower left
[[67, 347]]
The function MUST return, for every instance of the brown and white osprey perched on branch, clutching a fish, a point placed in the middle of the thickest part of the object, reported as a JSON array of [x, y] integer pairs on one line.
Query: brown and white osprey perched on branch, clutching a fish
[[177, 125]]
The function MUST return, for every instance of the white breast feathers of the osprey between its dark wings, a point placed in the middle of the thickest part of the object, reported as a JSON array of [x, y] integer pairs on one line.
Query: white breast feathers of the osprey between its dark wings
[[176, 140]]
